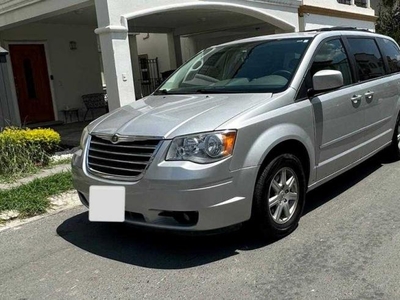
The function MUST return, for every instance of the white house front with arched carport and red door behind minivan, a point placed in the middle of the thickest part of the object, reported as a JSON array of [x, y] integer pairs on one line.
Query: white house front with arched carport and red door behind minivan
[[61, 50]]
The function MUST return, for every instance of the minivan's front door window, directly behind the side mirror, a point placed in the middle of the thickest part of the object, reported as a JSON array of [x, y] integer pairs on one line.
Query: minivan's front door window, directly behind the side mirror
[[332, 56]]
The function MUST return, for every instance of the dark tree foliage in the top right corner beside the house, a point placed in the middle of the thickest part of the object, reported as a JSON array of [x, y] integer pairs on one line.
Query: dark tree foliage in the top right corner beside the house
[[388, 22]]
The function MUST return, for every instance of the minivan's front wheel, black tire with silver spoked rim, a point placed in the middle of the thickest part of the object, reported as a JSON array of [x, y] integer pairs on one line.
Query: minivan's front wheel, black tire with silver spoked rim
[[277, 207]]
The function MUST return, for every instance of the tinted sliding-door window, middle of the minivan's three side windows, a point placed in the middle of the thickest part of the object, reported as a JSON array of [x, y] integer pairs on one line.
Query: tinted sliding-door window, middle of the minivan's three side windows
[[368, 58]]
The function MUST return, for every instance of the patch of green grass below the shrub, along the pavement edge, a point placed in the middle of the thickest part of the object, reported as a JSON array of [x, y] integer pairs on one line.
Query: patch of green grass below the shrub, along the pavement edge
[[32, 199]]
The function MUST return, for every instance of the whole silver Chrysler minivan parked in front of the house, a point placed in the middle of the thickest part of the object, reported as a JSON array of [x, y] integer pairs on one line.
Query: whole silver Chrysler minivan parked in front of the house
[[242, 131]]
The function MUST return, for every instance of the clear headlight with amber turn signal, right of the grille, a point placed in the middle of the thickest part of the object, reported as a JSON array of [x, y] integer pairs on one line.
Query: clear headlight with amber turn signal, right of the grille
[[203, 148]]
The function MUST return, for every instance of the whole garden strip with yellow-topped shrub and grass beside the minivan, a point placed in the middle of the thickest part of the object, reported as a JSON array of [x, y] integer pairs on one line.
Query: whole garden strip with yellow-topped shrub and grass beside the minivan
[[34, 172]]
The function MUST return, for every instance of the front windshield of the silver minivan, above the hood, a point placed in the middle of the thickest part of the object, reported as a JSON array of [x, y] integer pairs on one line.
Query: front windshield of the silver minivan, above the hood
[[252, 67]]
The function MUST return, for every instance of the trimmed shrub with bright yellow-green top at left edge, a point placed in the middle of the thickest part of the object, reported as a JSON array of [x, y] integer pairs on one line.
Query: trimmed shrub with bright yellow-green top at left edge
[[23, 150]]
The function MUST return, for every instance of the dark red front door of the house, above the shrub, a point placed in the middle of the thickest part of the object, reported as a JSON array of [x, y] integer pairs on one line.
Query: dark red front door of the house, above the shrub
[[32, 83]]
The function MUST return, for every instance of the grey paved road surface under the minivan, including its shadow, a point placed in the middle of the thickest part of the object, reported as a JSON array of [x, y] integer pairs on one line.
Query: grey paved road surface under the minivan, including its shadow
[[346, 247]]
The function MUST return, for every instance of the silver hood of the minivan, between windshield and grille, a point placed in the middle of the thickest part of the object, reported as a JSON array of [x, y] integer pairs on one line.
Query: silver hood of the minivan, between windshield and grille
[[173, 115]]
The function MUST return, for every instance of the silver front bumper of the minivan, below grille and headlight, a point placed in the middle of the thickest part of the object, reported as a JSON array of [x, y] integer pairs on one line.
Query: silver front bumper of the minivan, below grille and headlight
[[217, 196]]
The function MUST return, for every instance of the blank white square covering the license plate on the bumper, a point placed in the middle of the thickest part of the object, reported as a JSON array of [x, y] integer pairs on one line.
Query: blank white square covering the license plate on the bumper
[[107, 204]]
